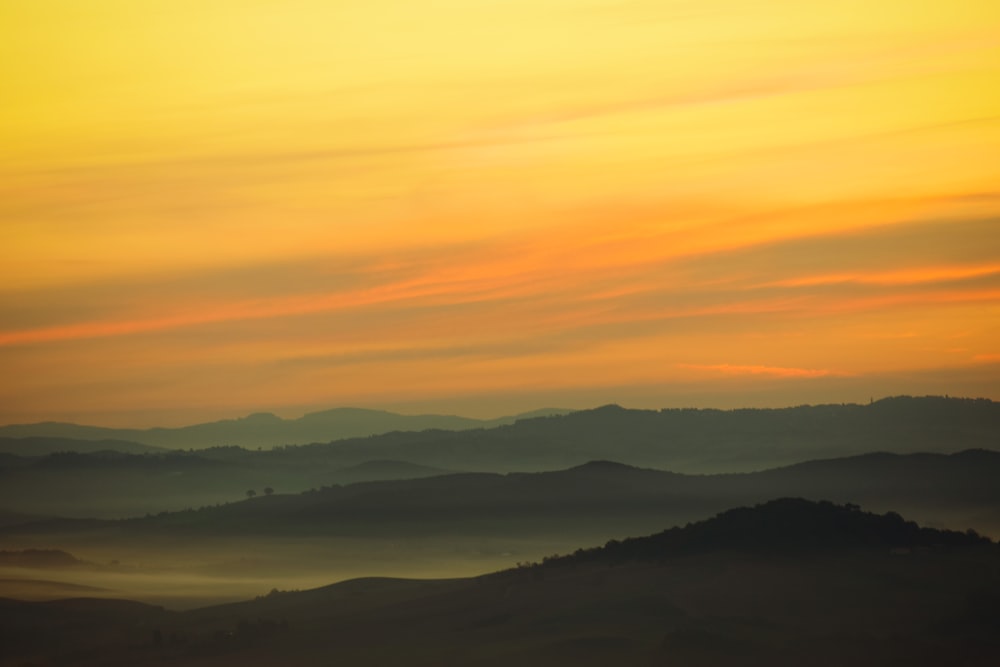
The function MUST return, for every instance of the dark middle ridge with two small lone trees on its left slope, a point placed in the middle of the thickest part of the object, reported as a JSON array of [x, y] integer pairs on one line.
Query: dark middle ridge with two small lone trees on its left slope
[[957, 490]]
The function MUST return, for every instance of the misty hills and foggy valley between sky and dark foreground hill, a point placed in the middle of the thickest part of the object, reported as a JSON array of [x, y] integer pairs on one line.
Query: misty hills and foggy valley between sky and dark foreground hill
[[192, 526]]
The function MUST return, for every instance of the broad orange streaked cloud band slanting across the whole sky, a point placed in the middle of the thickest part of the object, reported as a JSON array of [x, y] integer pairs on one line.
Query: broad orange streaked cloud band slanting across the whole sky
[[546, 281]]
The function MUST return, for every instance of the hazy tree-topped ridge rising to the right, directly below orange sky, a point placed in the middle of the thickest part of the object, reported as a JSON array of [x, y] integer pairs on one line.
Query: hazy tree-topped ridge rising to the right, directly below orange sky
[[683, 440]]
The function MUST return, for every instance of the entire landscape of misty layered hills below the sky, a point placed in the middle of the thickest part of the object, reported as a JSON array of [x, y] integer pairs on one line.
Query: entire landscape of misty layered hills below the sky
[[416, 520]]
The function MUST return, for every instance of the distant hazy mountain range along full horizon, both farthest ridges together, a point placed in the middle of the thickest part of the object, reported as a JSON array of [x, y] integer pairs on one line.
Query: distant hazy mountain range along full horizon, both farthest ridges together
[[683, 440]]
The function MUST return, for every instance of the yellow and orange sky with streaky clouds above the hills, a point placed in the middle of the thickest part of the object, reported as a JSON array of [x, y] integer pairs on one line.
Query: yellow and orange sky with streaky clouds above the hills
[[488, 206]]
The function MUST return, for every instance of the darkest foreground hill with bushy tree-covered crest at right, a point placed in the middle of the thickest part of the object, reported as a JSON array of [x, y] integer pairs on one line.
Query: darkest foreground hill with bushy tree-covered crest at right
[[789, 582]]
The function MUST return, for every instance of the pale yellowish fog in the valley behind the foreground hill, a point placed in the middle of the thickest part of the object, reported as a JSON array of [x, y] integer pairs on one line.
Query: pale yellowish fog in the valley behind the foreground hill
[[187, 575]]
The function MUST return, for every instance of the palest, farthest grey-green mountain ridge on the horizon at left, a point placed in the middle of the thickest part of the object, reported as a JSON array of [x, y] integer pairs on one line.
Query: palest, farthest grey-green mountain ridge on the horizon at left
[[262, 429]]
